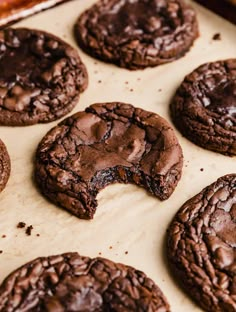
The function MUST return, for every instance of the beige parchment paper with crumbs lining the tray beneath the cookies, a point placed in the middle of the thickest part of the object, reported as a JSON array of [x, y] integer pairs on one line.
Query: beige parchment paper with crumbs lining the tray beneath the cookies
[[127, 218]]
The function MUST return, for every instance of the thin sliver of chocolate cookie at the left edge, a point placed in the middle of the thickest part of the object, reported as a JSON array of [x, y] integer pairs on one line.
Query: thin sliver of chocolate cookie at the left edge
[[5, 166]]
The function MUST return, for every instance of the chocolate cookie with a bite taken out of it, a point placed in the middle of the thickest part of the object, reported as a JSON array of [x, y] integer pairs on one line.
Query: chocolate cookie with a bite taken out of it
[[108, 143]]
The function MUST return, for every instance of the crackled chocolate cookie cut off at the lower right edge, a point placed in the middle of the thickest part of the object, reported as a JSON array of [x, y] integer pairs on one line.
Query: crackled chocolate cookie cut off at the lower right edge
[[202, 246]]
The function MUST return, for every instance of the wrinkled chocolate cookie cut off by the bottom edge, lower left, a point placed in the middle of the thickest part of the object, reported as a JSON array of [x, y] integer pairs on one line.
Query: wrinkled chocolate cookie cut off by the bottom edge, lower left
[[70, 282]]
